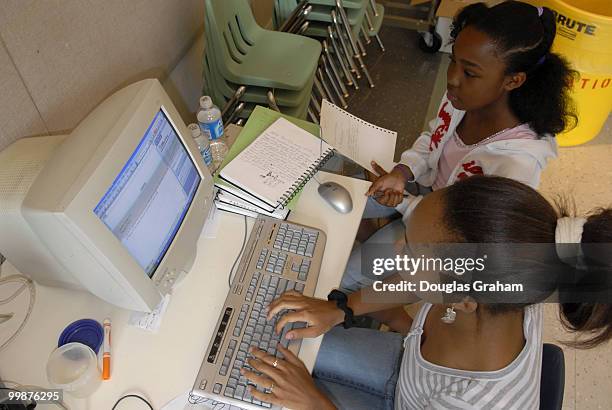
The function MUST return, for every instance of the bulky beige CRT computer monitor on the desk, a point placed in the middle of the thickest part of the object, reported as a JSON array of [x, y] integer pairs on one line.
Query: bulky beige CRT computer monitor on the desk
[[118, 207]]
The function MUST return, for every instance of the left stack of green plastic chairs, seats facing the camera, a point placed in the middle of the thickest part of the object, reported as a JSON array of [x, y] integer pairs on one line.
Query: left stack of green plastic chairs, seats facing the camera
[[245, 65]]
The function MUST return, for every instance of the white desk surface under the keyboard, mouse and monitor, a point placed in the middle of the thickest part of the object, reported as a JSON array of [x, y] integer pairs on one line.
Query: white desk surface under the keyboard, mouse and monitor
[[163, 365]]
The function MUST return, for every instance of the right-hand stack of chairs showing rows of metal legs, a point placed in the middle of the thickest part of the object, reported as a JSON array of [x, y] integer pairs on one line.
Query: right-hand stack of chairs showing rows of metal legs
[[342, 26]]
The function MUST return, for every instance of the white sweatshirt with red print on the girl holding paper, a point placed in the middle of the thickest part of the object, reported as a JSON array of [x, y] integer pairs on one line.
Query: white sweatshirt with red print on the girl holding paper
[[520, 159]]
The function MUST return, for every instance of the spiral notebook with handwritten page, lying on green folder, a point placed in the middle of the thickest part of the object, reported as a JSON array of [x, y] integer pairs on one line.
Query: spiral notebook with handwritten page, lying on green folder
[[276, 165]]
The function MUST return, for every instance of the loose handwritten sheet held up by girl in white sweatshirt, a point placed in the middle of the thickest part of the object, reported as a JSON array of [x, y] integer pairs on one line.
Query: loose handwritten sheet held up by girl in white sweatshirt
[[357, 139]]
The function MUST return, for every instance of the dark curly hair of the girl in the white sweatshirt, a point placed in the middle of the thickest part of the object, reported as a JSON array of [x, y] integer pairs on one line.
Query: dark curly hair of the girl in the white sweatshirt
[[523, 39]]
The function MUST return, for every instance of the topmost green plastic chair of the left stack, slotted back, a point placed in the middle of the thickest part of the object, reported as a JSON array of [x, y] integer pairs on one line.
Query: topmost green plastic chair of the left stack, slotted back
[[249, 55]]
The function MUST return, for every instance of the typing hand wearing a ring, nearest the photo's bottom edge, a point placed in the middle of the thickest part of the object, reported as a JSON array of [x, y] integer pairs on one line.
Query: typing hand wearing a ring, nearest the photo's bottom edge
[[286, 383]]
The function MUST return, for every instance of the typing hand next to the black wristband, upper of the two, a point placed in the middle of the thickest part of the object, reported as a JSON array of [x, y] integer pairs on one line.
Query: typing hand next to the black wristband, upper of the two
[[320, 315]]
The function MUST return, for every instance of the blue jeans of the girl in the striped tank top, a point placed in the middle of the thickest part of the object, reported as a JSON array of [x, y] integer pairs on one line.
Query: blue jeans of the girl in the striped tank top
[[358, 368]]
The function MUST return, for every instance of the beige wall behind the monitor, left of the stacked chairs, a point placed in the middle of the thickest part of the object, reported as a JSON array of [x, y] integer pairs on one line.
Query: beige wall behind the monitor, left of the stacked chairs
[[60, 58]]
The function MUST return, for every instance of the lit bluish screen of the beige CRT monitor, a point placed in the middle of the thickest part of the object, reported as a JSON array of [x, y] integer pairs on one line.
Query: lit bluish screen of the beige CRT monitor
[[148, 200]]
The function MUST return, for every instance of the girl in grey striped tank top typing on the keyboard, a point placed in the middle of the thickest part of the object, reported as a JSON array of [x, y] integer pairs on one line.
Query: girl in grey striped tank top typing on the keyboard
[[470, 354]]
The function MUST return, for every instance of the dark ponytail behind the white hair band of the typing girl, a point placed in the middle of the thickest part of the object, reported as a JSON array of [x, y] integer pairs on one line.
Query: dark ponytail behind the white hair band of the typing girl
[[592, 320]]
